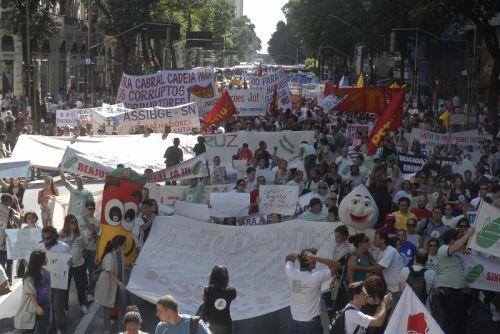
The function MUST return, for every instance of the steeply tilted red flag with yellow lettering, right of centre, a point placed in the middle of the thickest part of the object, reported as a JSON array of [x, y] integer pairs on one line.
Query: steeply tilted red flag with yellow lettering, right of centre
[[387, 121]]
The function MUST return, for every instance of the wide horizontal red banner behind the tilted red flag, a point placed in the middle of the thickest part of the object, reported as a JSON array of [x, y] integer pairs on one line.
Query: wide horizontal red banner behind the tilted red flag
[[367, 99]]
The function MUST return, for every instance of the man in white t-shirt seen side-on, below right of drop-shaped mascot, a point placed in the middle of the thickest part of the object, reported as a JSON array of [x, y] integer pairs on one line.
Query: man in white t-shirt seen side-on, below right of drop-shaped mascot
[[390, 263]]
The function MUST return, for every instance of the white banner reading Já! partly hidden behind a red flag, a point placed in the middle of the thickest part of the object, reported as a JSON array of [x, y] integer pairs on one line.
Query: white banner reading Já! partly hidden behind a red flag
[[248, 102]]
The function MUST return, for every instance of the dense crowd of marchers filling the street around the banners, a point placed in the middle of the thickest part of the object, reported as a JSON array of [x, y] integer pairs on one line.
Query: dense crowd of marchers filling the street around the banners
[[420, 237]]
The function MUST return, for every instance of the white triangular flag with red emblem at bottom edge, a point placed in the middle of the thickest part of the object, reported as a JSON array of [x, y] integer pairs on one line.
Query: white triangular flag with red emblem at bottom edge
[[411, 316]]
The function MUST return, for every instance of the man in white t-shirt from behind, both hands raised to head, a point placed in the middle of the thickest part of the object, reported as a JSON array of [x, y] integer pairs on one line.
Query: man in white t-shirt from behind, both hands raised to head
[[306, 289]]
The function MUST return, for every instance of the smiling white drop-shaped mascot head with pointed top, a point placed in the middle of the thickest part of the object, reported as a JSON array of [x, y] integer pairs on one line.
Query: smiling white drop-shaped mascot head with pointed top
[[358, 209]]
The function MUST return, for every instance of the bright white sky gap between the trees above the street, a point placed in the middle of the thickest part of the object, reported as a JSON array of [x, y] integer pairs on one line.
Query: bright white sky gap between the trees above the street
[[265, 14]]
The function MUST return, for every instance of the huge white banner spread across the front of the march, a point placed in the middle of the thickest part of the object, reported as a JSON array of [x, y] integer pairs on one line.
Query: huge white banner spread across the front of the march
[[179, 255]]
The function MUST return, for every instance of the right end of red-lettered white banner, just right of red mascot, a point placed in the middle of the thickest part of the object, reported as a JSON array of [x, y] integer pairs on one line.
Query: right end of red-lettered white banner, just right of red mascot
[[195, 167]]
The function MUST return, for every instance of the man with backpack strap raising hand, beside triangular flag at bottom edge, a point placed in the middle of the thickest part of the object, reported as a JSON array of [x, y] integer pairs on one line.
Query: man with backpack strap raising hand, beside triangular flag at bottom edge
[[355, 320]]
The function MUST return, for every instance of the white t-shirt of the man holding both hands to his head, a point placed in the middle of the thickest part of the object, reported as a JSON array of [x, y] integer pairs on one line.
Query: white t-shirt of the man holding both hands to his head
[[306, 291]]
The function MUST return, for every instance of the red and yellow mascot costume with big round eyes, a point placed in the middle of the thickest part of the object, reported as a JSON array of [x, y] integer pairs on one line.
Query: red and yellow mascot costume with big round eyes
[[120, 200]]
